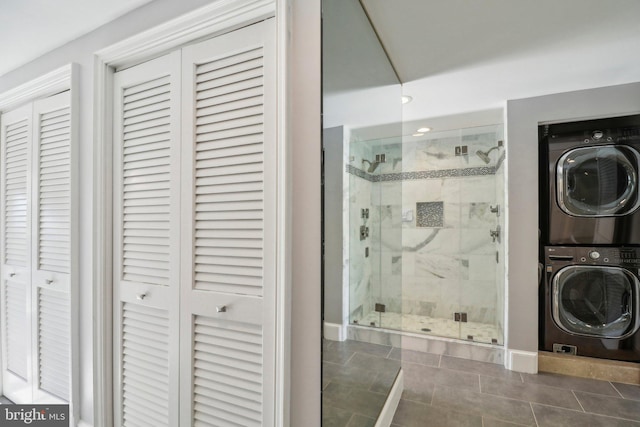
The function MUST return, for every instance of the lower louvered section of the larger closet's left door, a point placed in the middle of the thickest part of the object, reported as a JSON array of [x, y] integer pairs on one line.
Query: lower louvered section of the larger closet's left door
[[145, 366]]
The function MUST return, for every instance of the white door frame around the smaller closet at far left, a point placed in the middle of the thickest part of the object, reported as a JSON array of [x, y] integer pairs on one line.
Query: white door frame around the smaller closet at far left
[[56, 81]]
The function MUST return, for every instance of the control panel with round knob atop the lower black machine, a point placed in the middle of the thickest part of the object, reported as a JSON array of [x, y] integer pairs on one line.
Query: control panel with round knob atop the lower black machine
[[626, 256]]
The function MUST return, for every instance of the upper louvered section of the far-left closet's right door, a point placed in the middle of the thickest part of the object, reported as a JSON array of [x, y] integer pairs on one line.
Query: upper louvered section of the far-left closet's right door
[[54, 186]]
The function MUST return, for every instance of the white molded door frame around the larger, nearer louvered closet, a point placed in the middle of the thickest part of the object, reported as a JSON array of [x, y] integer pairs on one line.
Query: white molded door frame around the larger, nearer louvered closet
[[207, 22]]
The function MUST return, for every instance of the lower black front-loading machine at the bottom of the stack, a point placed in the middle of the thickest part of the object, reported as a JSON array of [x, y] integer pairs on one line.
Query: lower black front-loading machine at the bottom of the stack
[[592, 302]]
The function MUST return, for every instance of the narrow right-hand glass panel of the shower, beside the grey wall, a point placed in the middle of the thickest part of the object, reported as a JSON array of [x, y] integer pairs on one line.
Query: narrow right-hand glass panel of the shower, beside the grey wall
[[482, 240]]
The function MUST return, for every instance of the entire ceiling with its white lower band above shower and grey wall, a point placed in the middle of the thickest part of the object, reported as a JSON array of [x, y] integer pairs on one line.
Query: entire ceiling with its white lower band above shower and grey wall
[[456, 57]]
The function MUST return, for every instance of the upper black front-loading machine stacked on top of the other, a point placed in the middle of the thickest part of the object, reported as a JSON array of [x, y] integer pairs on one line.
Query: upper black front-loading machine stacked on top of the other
[[590, 182]]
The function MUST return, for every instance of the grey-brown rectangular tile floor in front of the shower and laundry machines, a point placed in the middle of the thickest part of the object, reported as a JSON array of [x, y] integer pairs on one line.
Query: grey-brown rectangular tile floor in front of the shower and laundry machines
[[443, 391]]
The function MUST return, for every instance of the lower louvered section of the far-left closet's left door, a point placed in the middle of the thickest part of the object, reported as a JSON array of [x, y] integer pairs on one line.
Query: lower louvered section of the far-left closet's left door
[[15, 327]]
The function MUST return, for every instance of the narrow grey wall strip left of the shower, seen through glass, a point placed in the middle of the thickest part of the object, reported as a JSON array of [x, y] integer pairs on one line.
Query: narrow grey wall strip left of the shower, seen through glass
[[333, 233]]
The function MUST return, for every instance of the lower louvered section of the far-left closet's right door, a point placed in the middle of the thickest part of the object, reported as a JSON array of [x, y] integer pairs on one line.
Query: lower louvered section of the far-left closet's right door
[[54, 342]]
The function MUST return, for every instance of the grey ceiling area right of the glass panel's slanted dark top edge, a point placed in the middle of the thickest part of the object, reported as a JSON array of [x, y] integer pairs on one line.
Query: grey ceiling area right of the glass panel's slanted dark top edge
[[427, 38]]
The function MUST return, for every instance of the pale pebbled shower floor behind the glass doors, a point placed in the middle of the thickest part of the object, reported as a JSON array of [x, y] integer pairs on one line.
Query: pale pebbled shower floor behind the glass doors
[[479, 332]]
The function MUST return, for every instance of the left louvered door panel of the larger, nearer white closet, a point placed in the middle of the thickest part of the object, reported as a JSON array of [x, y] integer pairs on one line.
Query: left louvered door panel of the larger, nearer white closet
[[146, 242]]
